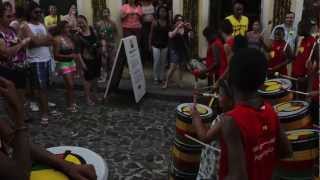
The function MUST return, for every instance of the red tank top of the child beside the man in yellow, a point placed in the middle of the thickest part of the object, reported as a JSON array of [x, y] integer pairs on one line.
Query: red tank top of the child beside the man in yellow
[[223, 59]]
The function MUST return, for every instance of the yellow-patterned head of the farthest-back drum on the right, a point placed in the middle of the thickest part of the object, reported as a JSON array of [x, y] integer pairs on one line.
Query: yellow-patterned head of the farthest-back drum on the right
[[275, 86]]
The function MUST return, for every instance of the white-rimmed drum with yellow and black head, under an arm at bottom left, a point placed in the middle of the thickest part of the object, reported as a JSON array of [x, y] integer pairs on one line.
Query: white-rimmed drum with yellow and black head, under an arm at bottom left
[[76, 155]]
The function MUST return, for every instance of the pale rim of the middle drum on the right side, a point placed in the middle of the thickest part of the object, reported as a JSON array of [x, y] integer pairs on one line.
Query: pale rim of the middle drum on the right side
[[294, 114]]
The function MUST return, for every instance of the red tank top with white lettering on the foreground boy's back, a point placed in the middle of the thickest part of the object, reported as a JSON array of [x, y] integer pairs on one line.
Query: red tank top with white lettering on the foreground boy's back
[[258, 130]]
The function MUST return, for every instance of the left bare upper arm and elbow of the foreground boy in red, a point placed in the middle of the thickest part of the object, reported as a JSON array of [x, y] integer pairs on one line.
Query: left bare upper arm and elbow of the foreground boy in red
[[236, 156]]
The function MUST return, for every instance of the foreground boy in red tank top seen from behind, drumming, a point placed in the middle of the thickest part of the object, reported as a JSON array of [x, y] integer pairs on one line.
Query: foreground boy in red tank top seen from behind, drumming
[[251, 137]]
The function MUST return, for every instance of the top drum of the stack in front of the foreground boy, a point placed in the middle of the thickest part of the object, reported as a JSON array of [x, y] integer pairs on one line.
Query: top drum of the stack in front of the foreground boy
[[184, 121]]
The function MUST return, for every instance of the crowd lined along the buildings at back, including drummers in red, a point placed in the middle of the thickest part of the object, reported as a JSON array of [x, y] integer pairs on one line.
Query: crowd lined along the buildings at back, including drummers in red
[[34, 46]]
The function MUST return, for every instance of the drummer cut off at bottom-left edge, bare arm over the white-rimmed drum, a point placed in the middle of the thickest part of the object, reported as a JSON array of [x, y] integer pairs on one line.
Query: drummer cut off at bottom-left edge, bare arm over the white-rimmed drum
[[17, 166]]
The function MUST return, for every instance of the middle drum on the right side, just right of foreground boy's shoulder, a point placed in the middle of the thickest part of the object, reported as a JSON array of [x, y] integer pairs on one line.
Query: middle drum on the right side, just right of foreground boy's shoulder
[[294, 115]]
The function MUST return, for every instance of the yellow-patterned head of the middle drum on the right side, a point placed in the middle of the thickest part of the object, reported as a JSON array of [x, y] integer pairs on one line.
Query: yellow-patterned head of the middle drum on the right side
[[291, 109]]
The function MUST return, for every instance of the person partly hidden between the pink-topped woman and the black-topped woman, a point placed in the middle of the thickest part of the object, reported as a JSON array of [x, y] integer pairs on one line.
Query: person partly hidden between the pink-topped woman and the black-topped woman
[[147, 19]]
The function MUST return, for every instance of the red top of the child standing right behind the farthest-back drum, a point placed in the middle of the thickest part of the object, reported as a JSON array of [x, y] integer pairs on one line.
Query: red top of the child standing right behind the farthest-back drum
[[278, 56]]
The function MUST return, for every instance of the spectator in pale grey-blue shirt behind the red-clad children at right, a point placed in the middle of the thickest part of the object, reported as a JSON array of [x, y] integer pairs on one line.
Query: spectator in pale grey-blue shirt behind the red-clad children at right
[[290, 31]]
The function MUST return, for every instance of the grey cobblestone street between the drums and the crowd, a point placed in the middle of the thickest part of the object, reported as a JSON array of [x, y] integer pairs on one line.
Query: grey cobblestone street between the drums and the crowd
[[134, 140]]
